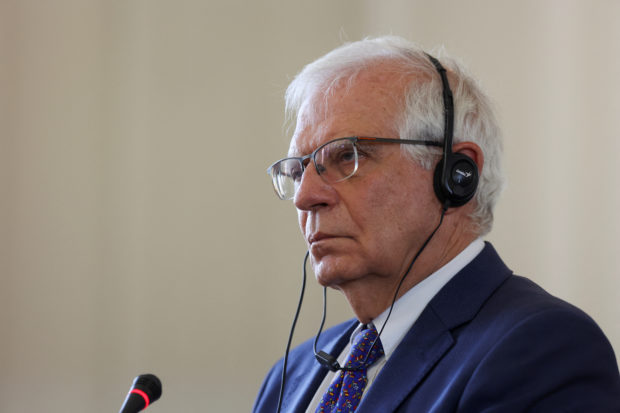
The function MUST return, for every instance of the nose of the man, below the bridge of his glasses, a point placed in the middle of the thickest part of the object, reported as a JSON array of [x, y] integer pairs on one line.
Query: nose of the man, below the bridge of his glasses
[[313, 192]]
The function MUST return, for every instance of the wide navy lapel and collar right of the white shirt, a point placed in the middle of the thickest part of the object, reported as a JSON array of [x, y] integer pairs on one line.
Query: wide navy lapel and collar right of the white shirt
[[430, 338]]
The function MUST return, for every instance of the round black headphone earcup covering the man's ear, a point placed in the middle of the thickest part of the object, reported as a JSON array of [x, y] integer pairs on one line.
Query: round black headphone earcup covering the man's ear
[[459, 184]]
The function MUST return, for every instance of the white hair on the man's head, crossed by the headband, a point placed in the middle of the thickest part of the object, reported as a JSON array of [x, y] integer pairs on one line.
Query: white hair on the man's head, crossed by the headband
[[423, 111]]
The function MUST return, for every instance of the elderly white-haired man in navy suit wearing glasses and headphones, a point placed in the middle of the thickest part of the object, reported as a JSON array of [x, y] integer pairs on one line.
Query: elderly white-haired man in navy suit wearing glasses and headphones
[[394, 168]]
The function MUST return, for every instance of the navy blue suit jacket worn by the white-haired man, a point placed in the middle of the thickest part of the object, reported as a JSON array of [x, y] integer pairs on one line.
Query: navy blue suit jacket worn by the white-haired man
[[489, 341]]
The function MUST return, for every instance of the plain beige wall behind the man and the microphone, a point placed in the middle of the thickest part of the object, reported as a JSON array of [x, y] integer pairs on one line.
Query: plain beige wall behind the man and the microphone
[[139, 232]]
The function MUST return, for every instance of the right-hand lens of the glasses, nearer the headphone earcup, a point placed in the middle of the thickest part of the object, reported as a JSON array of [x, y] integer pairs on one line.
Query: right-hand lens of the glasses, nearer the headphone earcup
[[337, 160]]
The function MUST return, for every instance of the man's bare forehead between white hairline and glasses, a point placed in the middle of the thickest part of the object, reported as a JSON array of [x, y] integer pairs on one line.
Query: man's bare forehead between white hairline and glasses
[[370, 105]]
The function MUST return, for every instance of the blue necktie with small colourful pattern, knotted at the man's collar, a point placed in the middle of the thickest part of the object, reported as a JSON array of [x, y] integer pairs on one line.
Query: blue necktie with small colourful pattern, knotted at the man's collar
[[345, 392]]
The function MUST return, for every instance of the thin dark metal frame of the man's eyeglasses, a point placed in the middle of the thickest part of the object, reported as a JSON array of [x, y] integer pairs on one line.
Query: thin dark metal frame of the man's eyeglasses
[[354, 140]]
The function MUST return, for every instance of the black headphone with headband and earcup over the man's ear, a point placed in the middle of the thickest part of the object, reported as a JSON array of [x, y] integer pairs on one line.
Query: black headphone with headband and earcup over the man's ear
[[456, 175]]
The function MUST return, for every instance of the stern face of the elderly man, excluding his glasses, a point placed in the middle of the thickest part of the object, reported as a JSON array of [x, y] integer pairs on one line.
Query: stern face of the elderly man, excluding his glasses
[[368, 227]]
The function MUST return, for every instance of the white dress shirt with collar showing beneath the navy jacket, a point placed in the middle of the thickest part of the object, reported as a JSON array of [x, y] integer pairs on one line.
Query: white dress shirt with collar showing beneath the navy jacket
[[406, 311]]
